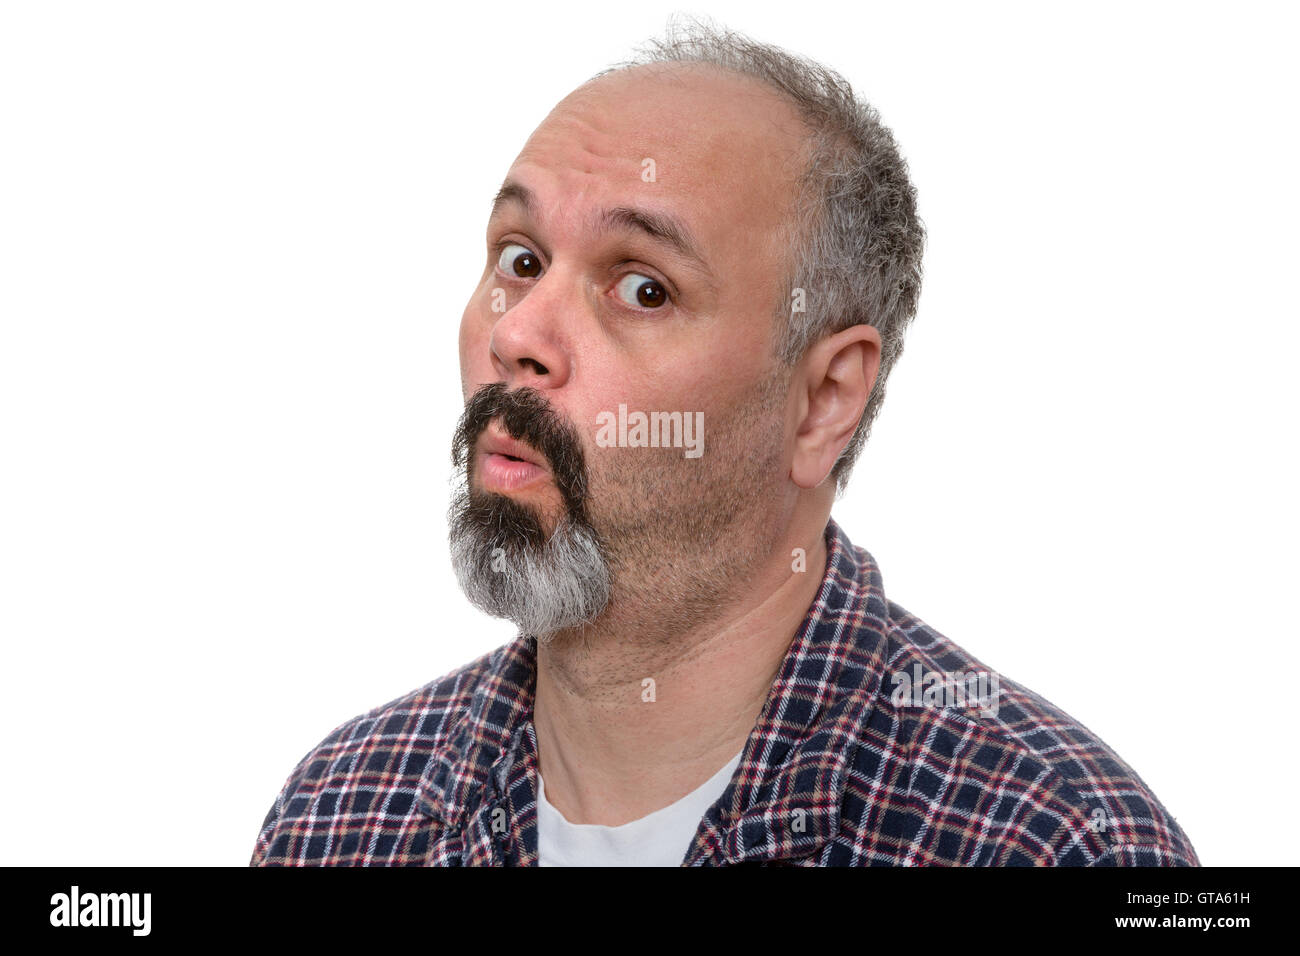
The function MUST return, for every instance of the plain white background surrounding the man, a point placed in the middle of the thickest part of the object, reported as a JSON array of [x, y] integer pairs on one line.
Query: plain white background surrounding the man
[[236, 243]]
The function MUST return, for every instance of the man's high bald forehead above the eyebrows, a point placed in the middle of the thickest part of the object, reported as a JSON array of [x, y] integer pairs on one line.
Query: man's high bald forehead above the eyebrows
[[726, 153]]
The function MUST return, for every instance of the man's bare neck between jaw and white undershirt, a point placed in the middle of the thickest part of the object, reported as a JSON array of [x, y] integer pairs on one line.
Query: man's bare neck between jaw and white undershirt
[[631, 719]]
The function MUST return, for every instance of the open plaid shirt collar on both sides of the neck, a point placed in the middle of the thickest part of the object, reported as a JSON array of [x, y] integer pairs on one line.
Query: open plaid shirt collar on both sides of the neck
[[785, 798]]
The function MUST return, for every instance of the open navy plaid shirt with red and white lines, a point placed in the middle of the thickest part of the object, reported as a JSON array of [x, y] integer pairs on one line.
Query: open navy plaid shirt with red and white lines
[[839, 771]]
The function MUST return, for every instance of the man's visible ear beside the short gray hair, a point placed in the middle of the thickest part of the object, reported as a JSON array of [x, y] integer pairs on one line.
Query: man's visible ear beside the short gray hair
[[838, 375]]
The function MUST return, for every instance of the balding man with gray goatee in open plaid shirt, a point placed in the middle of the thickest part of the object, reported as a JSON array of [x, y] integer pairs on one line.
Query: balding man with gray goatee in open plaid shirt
[[699, 275]]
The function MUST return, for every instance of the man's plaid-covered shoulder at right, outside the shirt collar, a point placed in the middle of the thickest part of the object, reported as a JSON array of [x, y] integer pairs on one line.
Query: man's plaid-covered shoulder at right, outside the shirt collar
[[981, 771]]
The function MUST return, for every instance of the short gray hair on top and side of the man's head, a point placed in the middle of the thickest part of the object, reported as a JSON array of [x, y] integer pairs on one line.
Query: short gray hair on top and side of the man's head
[[857, 243]]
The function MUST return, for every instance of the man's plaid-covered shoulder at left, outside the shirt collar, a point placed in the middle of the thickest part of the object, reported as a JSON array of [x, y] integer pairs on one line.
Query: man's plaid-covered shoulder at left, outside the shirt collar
[[367, 772]]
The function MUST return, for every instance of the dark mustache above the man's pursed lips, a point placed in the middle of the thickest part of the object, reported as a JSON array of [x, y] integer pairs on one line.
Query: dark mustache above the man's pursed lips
[[527, 417]]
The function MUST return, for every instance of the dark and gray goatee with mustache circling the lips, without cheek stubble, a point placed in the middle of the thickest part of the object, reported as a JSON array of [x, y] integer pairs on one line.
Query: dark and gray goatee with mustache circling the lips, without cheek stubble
[[504, 559]]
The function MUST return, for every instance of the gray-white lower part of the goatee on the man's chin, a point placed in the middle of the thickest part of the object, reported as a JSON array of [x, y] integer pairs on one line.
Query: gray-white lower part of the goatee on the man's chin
[[543, 589]]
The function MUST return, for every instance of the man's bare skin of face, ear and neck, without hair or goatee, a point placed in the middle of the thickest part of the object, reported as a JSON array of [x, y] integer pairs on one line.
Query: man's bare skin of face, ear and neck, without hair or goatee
[[705, 600]]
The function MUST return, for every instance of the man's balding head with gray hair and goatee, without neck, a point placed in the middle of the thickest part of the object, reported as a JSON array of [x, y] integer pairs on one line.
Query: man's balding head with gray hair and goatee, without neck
[[718, 237]]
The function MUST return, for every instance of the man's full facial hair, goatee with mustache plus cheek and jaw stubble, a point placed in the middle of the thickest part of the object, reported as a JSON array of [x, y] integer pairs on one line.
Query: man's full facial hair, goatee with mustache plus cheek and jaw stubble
[[677, 537]]
